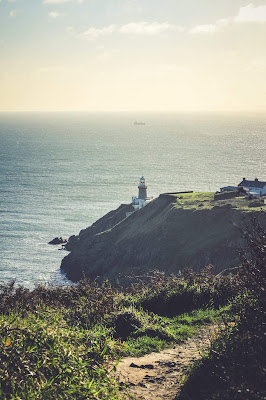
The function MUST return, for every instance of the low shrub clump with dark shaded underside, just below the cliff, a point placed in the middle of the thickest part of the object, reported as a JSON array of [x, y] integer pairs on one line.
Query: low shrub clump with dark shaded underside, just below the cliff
[[170, 296]]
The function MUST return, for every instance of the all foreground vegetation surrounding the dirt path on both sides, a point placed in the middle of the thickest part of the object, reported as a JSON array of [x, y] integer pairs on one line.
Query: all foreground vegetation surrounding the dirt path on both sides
[[62, 342]]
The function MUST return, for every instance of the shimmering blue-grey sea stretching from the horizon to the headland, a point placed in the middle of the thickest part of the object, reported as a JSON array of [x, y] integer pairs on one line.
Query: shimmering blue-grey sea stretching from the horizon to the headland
[[61, 172]]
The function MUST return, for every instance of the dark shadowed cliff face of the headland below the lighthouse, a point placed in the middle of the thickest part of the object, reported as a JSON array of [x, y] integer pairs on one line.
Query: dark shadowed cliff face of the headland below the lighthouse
[[160, 236]]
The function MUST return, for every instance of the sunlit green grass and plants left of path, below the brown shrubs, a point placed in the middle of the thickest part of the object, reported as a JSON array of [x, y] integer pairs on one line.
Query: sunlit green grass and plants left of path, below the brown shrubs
[[49, 358]]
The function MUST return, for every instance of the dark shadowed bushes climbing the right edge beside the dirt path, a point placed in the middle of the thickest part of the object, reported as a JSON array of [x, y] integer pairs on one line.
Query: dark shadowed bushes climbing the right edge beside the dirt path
[[235, 367]]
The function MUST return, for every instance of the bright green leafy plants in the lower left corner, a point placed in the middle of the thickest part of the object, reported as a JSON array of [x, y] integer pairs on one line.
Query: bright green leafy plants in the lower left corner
[[46, 358]]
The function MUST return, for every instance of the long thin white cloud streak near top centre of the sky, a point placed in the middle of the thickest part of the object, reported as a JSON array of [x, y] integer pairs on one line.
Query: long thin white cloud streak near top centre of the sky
[[133, 28]]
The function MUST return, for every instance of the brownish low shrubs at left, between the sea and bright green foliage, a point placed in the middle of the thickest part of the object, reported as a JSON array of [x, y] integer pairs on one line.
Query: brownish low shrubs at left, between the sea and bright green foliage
[[83, 303]]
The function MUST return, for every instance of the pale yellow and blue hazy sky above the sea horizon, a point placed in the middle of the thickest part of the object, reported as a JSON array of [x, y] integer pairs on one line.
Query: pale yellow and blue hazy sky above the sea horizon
[[133, 55]]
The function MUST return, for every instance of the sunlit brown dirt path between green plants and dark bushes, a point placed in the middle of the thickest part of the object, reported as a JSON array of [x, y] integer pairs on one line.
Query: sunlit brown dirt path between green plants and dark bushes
[[156, 376]]
